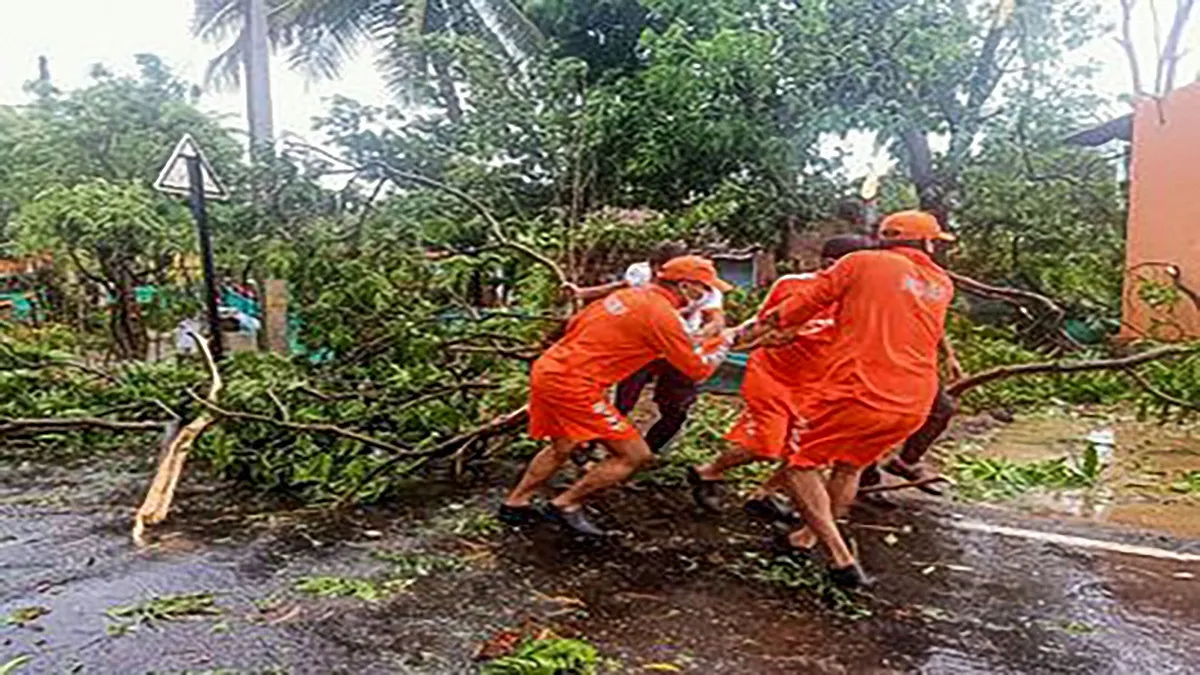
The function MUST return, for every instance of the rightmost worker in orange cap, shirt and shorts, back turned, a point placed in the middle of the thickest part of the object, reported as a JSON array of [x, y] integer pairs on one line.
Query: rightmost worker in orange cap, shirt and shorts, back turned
[[881, 379]]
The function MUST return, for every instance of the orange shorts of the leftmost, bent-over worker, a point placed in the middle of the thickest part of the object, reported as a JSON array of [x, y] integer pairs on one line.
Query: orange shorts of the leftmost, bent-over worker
[[562, 407]]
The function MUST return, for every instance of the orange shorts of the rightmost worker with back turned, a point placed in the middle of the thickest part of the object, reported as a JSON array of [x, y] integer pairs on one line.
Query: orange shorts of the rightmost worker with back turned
[[848, 433]]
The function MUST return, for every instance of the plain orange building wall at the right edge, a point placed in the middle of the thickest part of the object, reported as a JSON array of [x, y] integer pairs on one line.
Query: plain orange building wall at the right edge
[[1165, 219]]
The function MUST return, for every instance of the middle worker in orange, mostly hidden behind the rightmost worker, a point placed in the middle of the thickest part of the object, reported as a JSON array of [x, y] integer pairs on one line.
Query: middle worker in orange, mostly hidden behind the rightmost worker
[[782, 374]]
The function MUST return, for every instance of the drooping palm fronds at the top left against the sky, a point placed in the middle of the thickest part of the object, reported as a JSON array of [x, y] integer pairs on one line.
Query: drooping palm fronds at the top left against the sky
[[320, 37]]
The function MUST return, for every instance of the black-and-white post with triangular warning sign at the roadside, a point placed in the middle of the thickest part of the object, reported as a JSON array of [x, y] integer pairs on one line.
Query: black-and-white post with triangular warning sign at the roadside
[[189, 174]]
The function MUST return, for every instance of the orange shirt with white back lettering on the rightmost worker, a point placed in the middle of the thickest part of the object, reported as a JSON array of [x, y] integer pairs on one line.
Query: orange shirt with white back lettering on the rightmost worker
[[891, 316]]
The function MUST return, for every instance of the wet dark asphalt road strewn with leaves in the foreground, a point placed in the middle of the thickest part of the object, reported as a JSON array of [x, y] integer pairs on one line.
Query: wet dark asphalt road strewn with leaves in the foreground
[[677, 593]]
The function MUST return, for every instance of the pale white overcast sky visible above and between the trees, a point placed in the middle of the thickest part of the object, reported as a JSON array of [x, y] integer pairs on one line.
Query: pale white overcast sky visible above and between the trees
[[77, 34]]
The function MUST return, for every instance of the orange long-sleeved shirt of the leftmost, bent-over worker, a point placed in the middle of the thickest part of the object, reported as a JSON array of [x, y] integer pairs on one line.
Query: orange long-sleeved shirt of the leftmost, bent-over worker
[[614, 338]]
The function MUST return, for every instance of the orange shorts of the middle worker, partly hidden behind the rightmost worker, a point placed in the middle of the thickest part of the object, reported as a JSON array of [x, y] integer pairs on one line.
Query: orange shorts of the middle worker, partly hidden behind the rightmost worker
[[773, 410]]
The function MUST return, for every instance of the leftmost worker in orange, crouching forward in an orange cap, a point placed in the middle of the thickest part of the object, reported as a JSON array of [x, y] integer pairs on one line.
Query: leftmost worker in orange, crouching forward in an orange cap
[[605, 344]]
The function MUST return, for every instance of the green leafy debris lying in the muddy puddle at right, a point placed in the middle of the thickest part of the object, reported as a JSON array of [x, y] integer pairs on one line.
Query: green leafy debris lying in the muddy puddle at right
[[998, 479]]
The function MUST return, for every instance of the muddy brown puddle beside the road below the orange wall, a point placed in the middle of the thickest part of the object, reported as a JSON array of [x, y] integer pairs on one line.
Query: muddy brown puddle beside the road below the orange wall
[[1136, 487]]
